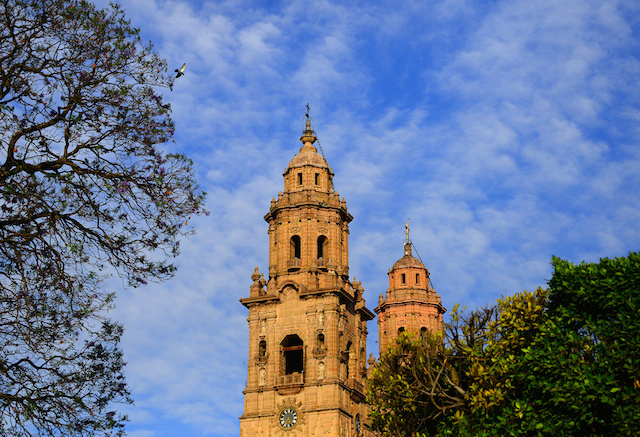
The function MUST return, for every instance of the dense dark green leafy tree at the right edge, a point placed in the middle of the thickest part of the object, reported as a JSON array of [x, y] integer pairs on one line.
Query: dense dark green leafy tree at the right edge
[[599, 304]]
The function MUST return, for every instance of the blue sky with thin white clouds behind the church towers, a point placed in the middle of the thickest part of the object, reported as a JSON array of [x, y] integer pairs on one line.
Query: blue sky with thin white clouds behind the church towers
[[506, 131]]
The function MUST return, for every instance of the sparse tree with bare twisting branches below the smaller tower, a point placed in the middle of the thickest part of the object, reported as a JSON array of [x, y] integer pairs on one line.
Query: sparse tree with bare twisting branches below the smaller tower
[[420, 383]]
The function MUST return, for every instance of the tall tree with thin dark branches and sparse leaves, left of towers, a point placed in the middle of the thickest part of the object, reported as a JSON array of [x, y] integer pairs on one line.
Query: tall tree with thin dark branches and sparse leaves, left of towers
[[85, 189]]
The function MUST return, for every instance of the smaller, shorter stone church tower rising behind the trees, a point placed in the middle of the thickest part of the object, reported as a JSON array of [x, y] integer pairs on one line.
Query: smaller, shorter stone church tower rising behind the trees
[[411, 304]]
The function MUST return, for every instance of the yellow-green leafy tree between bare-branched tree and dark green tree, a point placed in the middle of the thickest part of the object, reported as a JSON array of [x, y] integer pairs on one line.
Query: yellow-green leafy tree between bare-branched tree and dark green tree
[[494, 405]]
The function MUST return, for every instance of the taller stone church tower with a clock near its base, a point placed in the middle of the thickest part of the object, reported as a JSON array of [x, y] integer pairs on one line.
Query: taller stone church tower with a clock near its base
[[307, 321]]
